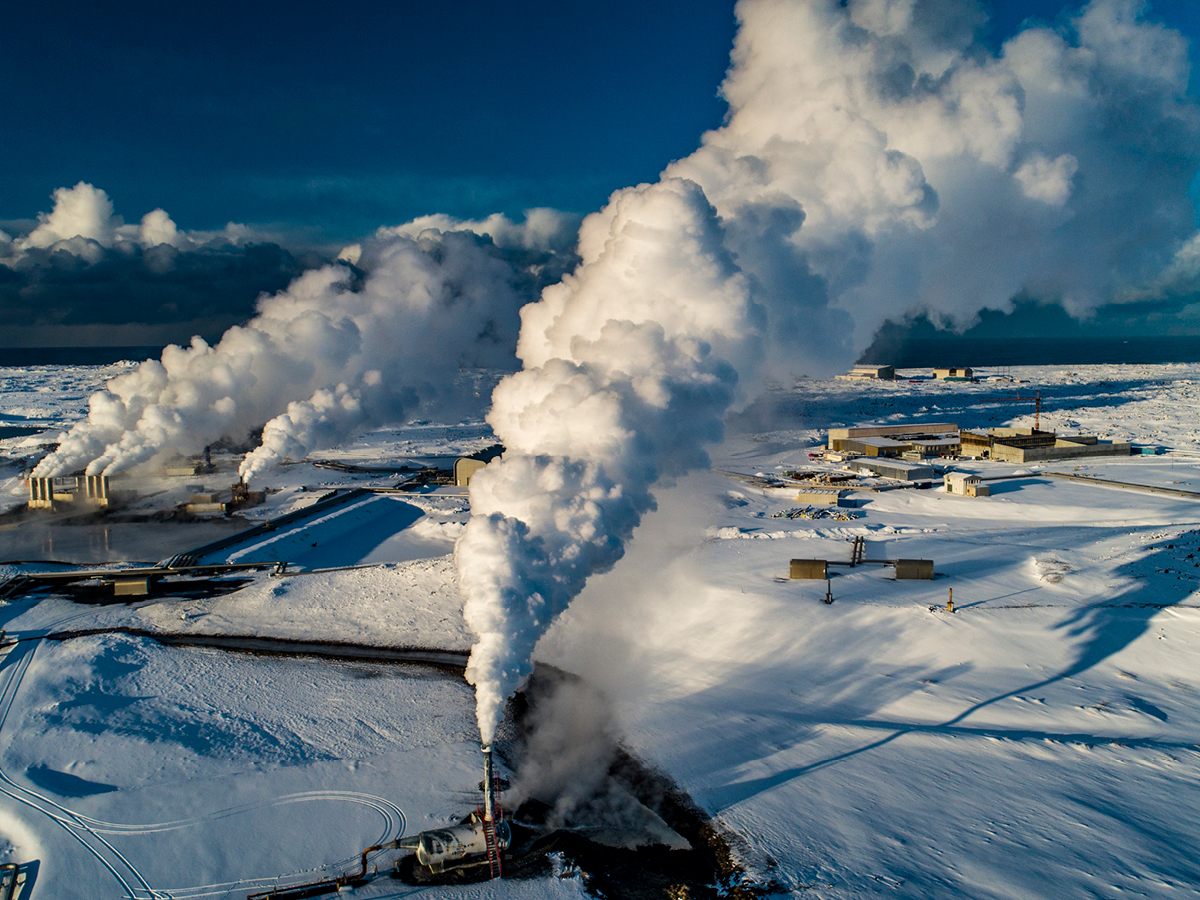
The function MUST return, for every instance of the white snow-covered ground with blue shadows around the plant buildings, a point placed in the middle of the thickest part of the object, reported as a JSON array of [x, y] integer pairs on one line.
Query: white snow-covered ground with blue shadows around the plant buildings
[[1042, 741]]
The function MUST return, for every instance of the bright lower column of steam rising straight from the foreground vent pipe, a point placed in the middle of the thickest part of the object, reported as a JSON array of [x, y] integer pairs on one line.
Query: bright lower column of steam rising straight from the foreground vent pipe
[[628, 374]]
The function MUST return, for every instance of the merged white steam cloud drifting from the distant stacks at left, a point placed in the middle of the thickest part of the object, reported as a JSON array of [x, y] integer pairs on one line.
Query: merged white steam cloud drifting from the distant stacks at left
[[331, 353]]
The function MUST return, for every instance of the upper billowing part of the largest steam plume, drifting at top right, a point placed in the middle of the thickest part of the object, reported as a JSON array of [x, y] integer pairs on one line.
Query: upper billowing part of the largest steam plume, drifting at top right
[[879, 147]]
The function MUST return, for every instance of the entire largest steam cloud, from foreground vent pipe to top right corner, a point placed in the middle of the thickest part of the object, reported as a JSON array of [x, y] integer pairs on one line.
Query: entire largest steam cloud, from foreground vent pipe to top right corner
[[877, 161]]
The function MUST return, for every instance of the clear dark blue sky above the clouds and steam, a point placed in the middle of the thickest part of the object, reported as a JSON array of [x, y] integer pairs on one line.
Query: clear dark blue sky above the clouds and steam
[[335, 119]]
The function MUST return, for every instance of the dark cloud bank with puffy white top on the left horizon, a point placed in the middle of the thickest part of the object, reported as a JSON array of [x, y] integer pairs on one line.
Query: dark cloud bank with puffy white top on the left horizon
[[82, 274]]
